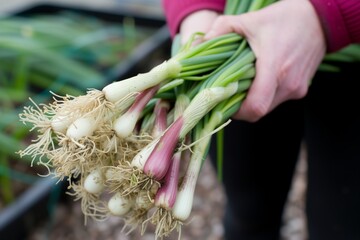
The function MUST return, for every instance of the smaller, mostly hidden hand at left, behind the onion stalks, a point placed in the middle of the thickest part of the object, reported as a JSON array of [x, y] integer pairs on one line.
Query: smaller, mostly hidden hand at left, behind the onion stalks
[[199, 21]]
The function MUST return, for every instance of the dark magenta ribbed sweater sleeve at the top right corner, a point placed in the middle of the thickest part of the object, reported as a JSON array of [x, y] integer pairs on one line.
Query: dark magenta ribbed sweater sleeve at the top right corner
[[340, 20]]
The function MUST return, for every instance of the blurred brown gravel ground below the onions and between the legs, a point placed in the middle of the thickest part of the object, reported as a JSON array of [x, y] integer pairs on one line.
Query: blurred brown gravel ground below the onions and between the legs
[[205, 222]]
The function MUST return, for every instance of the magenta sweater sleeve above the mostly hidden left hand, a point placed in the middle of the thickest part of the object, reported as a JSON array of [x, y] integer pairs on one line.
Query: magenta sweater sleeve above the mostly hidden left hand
[[176, 10]]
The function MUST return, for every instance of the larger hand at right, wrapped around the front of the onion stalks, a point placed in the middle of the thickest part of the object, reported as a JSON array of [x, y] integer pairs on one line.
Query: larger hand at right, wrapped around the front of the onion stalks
[[289, 44]]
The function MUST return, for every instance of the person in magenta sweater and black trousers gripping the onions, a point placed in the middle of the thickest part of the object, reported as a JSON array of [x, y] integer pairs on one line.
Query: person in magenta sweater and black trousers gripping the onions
[[282, 110]]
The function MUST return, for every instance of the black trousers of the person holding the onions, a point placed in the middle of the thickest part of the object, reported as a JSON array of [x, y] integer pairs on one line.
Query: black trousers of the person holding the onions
[[260, 159]]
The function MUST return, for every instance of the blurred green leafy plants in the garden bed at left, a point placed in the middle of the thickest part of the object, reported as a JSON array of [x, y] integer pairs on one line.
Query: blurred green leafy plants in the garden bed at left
[[65, 53]]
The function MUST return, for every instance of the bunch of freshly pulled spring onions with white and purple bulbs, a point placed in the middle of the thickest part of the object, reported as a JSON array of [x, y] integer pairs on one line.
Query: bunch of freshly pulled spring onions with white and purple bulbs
[[135, 148]]
